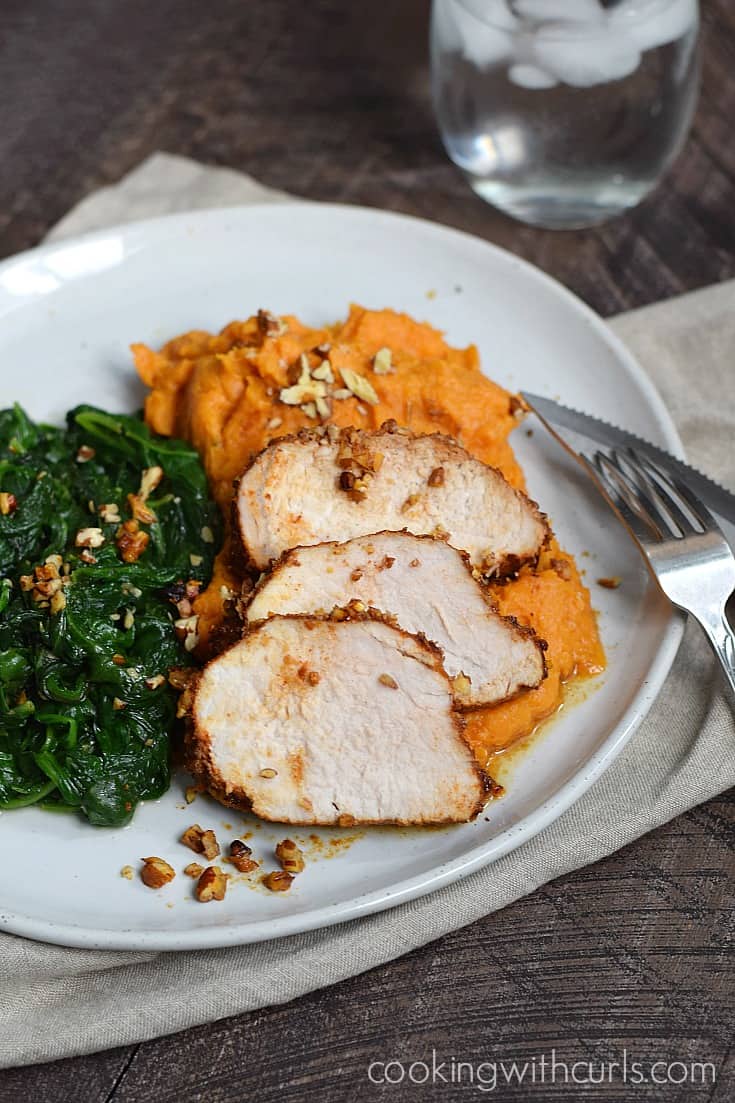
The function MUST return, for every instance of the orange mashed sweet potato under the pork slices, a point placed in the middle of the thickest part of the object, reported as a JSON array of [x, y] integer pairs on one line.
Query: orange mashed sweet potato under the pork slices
[[221, 392]]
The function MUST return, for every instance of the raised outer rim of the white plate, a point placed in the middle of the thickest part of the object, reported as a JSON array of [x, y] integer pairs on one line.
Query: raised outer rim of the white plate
[[125, 939]]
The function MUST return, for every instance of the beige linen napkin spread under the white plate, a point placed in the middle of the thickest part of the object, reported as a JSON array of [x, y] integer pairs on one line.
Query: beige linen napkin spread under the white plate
[[59, 1003]]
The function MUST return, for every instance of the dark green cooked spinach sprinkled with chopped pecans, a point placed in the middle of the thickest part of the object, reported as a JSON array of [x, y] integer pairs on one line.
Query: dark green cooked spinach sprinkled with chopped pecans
[[102, 528]]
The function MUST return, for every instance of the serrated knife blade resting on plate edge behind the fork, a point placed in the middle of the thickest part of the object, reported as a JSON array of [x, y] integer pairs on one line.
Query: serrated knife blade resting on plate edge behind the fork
[[583, 434]]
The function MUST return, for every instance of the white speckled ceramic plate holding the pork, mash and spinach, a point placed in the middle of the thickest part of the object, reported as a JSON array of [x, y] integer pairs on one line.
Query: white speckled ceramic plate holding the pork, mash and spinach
[[69, 313]]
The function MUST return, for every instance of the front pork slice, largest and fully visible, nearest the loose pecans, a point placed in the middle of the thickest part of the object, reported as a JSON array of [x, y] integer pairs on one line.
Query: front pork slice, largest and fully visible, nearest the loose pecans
[[317, 722]]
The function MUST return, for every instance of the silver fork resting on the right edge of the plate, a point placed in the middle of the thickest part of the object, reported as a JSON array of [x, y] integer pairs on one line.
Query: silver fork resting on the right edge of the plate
[[684, 545]]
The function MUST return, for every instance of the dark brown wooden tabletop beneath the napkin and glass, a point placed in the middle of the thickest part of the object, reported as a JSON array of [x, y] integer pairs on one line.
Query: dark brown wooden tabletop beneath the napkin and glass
[[331, 101]]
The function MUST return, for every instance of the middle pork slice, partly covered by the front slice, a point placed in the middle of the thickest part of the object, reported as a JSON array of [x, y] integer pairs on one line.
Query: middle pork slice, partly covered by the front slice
[[429, 587]]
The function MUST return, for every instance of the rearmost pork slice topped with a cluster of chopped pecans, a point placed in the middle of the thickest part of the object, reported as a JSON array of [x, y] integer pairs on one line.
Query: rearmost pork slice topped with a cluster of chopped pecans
[[328, 485]]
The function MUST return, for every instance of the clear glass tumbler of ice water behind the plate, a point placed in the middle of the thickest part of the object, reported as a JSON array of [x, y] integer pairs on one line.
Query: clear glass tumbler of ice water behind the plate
[[564, 113]]
